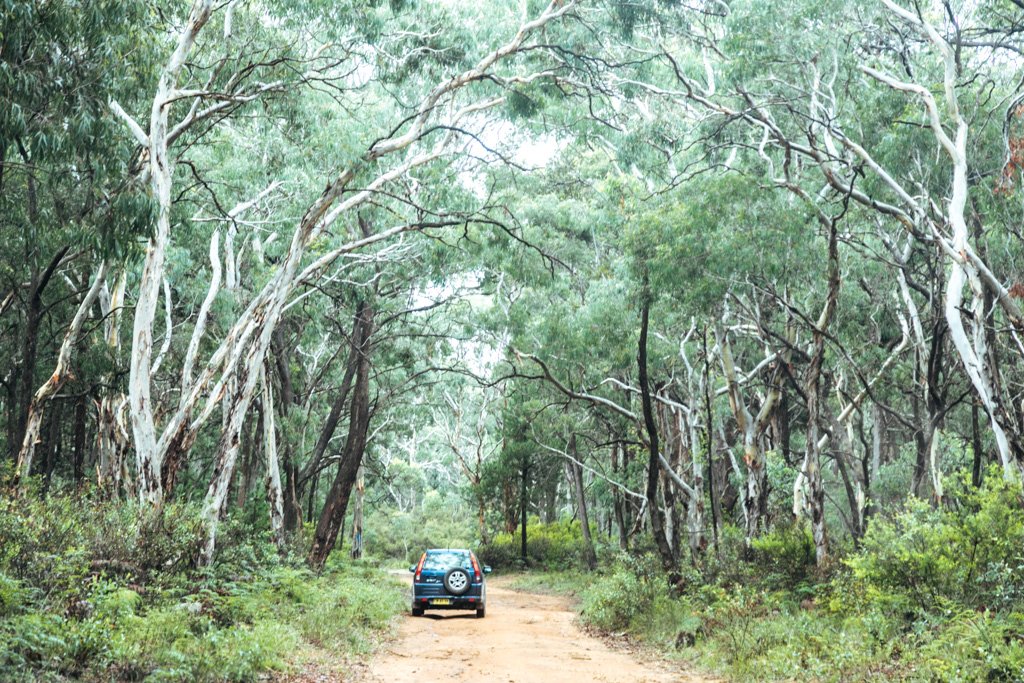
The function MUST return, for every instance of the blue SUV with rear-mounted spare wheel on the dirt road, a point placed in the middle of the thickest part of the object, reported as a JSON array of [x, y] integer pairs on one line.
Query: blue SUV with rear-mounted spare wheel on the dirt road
[[449, 580]]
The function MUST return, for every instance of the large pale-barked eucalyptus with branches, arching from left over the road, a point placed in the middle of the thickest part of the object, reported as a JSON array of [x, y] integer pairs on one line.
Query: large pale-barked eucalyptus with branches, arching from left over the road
[[425, 133]]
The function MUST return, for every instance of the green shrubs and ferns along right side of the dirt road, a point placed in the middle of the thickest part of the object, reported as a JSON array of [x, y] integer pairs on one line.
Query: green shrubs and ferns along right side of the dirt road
[[934, 594]]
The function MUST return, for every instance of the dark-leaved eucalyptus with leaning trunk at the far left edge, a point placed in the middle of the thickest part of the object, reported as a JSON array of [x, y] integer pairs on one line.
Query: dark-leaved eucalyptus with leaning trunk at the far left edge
[[68, 214]]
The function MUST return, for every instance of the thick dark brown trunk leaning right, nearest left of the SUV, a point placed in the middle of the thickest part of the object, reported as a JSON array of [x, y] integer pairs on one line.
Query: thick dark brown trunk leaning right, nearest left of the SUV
[[333, 515]]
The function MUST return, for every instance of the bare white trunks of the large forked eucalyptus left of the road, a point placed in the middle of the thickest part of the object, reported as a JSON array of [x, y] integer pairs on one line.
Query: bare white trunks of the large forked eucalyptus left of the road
[[232, 371]]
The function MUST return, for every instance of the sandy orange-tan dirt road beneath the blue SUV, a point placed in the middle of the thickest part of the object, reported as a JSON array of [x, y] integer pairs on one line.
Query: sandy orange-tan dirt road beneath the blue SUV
[[526, 638]]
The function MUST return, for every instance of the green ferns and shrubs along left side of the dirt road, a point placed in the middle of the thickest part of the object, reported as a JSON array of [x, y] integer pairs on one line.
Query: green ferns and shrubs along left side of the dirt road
[[83, 595]]
